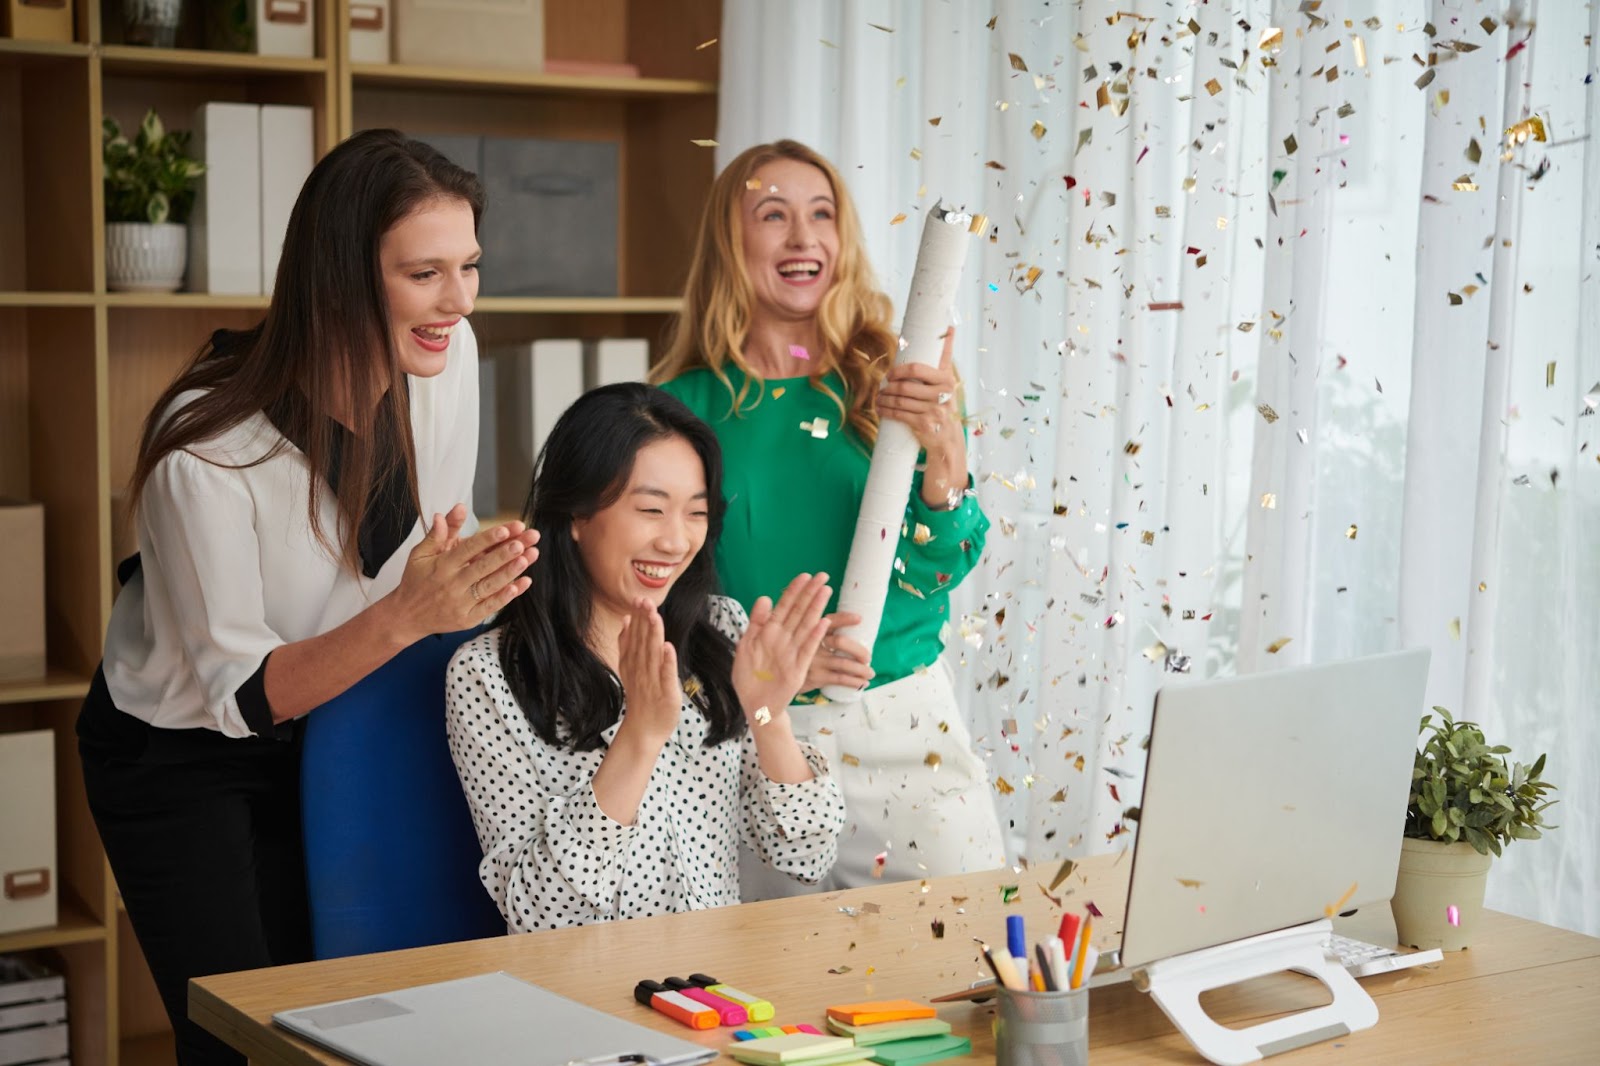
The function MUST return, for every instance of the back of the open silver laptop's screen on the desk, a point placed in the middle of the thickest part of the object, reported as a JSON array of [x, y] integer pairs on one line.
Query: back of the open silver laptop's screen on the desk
[[1271, 801]]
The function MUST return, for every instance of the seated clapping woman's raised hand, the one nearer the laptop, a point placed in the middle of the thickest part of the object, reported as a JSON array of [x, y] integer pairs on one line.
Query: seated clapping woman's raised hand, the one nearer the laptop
[[772, 659]]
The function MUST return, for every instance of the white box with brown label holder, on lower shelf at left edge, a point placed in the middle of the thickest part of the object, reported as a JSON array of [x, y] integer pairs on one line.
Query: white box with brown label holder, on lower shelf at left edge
[[28, 832]]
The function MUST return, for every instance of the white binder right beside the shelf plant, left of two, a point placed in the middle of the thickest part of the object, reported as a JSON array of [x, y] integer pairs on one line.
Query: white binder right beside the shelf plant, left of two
[[225, 231]]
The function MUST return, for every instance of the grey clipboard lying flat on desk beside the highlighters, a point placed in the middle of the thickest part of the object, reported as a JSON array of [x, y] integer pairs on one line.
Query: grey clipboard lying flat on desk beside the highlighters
[[489, 1020]]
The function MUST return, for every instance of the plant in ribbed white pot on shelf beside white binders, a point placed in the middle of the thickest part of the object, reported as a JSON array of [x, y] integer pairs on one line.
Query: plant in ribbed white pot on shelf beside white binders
[[150, 191]]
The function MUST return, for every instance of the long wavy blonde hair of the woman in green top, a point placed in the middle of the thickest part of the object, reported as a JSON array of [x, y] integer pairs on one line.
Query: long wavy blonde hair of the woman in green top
[[719, 300]]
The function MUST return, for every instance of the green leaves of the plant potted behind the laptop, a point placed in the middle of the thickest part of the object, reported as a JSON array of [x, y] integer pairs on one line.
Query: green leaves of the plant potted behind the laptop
[[1462, 790]]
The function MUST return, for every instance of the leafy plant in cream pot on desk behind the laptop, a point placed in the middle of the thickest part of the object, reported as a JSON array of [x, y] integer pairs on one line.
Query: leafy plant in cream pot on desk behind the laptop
[[1466, 804]]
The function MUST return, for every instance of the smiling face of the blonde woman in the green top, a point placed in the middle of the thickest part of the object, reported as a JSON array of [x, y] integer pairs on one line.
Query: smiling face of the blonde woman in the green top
[[790, 236]]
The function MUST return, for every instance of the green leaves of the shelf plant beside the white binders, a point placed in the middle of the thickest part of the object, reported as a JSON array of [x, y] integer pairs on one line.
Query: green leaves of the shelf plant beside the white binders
[[150, 178]]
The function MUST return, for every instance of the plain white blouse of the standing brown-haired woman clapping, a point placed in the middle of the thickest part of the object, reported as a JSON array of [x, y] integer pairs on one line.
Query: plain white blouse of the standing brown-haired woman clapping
[[231, 571]]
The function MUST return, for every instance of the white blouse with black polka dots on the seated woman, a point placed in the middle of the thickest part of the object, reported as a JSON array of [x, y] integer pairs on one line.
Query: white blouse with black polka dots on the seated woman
[[553, 859]]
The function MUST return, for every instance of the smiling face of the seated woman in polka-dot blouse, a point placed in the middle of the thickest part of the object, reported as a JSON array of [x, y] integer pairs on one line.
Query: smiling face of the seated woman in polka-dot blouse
[[641, 545]]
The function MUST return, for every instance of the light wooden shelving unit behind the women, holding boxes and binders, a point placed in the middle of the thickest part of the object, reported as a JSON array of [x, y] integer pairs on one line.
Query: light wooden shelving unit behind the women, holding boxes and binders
[[81, 366]]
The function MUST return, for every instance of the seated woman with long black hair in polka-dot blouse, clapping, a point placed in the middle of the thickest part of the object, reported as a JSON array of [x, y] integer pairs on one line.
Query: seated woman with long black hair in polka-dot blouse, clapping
[[623, 729]]
